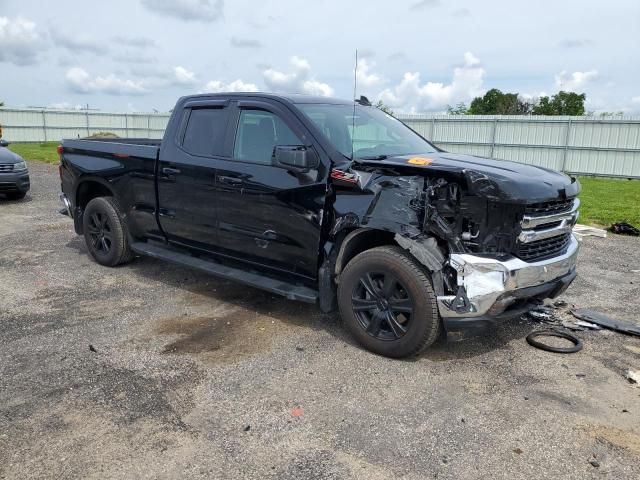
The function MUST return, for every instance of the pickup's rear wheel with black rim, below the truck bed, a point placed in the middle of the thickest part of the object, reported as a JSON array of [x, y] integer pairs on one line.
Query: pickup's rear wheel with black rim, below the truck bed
[[105, 232]]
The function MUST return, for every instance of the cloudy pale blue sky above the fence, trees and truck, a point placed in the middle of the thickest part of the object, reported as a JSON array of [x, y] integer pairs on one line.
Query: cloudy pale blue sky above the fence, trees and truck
[[414, 55]]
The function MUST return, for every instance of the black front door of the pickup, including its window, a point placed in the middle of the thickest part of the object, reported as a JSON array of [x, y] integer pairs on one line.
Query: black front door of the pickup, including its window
[[267, 214]]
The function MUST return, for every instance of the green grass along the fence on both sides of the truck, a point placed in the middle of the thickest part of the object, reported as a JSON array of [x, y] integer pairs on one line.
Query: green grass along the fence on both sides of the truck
[[604, 200]]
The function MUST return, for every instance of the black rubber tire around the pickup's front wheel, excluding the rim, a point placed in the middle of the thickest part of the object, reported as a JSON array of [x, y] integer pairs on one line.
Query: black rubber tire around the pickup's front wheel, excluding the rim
[[421, 293]]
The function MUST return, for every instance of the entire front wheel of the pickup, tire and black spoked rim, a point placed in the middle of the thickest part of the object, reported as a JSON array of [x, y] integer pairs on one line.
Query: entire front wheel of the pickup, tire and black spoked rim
[[387, 302]]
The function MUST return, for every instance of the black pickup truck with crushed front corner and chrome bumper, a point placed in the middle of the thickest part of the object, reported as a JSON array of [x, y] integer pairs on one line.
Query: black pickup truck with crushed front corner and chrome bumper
[[332, 202]]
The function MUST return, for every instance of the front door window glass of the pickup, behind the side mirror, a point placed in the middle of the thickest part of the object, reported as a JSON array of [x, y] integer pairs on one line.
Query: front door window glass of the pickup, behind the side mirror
[[257, 135]]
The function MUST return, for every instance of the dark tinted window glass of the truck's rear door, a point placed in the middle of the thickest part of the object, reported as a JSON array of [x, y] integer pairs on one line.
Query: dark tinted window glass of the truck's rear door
[[205, 131]]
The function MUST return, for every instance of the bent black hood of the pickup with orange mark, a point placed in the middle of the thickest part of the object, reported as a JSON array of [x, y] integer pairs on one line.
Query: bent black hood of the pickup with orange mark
[[499, 180]]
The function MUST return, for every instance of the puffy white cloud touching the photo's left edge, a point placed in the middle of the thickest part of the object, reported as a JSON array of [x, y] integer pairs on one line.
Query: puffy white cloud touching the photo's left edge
[[20, 42]]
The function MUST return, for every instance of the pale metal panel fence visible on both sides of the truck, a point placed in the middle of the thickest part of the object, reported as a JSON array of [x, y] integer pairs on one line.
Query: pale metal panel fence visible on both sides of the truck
[[581, 145]]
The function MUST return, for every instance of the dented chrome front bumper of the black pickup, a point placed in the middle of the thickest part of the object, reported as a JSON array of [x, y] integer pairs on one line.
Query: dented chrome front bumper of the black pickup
[[491, 285]]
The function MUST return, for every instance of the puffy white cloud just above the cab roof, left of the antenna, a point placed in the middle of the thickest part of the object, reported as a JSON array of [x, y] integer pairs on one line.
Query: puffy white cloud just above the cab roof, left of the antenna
[[299, 81]]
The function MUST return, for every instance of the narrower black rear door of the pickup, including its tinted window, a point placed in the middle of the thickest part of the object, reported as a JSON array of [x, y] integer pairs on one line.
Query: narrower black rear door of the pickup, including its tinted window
[[186, 174]]
